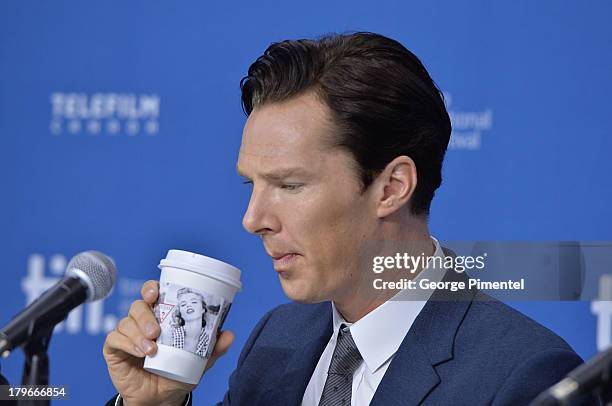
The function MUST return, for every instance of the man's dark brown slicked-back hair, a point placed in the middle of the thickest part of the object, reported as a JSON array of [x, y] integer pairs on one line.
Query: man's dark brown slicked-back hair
[[383, 102]]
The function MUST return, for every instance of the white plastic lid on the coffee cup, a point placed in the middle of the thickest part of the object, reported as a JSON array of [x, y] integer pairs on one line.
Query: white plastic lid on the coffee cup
[[203, 265]]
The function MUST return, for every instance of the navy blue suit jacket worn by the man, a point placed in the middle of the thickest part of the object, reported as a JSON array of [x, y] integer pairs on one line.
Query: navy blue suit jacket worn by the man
[[463, 349]]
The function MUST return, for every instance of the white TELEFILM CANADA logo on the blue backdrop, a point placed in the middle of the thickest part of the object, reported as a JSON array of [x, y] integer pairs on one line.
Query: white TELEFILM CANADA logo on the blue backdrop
[[104, 113]]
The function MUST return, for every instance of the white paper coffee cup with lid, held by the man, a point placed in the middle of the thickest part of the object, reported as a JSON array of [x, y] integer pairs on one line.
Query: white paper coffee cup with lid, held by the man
[[196, 293]]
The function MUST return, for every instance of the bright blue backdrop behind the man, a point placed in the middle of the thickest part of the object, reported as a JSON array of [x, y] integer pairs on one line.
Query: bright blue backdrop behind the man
[[120, 124]]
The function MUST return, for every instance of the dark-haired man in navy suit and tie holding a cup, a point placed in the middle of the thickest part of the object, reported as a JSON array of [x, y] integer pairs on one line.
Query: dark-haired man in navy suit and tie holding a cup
[[343, 148]]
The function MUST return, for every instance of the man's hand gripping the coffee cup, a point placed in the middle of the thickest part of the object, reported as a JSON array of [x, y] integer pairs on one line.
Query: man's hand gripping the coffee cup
[[125, 349]]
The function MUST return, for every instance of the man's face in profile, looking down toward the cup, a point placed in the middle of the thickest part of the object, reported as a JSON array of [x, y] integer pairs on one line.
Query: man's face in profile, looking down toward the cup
[[306, 201]]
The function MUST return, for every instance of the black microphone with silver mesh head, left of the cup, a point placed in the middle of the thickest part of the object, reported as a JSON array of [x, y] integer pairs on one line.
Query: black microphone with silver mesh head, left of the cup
[[89, 276]]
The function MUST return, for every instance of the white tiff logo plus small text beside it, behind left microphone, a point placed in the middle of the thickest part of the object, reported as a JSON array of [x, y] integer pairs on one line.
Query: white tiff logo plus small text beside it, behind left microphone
[[90, 317]]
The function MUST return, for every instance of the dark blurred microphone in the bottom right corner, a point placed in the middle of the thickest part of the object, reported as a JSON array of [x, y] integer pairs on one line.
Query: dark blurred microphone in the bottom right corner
[[585, 379]]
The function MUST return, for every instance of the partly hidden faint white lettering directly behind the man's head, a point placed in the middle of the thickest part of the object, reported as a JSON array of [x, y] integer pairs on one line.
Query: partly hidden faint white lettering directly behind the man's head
[[468, 126]]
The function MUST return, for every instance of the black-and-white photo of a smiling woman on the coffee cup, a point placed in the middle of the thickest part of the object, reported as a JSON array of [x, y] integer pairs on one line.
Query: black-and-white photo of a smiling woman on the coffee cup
[[188, 318]]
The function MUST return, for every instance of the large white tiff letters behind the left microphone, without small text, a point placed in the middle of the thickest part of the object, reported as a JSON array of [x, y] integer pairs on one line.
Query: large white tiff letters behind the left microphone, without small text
[[35, 283]]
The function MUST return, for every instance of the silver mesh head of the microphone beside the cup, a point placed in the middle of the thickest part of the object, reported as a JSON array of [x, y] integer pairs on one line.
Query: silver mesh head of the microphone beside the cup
[[96, 271]]
